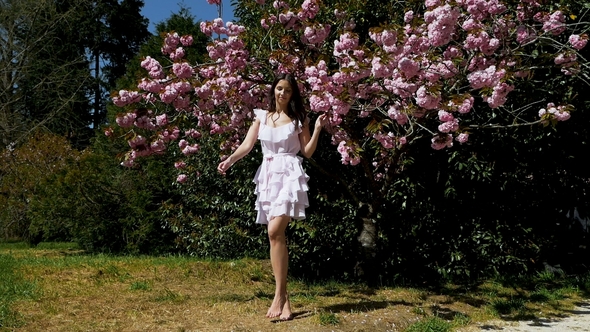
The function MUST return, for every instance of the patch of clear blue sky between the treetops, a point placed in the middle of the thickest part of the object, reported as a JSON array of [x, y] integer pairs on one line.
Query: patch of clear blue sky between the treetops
[[159, 10]]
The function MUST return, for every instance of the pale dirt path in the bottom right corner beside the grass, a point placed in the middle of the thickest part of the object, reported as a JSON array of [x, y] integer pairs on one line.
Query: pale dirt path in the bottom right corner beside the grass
[[577, 321]]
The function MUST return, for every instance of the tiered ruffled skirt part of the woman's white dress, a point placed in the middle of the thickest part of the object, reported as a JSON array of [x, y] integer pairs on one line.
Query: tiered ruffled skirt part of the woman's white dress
[[281, 188]]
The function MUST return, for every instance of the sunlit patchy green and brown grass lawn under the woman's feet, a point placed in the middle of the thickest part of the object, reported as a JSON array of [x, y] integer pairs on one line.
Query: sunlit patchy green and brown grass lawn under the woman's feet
[[55, 287]]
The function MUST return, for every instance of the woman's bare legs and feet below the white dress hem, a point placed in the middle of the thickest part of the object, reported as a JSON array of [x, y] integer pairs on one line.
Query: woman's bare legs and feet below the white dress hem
[[279, 258]]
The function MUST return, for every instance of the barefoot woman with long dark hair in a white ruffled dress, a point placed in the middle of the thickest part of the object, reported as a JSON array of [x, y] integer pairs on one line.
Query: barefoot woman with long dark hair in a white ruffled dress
[[281, 182]]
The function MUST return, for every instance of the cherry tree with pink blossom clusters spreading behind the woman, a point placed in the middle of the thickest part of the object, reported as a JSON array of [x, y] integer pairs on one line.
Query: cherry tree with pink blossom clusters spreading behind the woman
[[434, 74]]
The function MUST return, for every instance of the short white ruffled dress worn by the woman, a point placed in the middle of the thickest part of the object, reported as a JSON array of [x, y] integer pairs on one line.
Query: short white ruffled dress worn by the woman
[[281, 182]]
